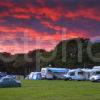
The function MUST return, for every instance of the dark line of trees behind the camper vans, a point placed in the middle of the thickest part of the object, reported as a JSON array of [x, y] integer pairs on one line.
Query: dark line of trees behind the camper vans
[[73, 53]]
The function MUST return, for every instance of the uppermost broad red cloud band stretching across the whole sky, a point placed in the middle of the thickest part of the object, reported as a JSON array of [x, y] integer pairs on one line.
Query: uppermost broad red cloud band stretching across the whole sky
[[46, 12]]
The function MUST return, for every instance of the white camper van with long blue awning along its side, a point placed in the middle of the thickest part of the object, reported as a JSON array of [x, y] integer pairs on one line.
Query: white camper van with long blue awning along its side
[[53, 73]]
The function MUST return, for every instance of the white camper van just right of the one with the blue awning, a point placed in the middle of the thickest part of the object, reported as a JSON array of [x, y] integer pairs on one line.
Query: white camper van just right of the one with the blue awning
[[75, 74]]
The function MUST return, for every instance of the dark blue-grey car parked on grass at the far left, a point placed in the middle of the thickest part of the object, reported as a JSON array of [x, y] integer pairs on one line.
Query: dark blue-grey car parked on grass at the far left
[[9, 82]]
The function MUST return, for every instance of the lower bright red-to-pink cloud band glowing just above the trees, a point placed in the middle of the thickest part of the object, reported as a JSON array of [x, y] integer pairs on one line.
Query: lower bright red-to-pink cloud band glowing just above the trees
[[44, 40]]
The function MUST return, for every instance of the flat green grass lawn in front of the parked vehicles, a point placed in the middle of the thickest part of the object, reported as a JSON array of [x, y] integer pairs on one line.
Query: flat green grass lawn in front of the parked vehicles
[[52, 90]]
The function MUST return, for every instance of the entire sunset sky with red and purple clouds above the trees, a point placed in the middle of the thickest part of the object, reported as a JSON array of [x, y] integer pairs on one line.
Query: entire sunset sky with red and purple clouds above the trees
[[26, 25]]
